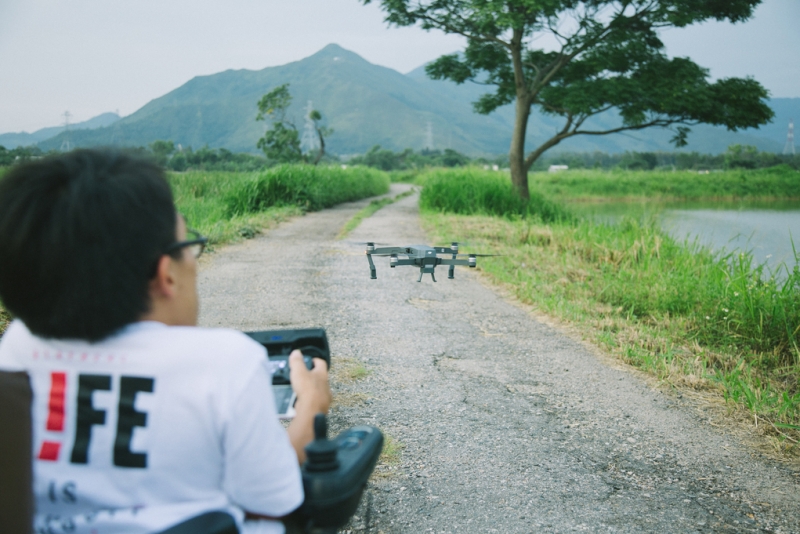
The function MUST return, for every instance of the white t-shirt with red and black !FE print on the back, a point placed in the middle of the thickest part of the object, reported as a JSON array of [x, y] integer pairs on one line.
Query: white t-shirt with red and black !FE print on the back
[[153, 426]]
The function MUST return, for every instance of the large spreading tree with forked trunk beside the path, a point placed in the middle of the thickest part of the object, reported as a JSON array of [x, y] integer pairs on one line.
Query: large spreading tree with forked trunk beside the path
[[607, 57]]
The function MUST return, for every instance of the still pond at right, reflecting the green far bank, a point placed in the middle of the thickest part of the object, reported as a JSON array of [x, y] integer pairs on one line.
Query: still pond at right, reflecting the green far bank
[[767, 229]]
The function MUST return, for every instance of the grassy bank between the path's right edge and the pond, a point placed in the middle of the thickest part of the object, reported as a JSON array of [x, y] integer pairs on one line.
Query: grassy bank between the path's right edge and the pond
[[711, 321]]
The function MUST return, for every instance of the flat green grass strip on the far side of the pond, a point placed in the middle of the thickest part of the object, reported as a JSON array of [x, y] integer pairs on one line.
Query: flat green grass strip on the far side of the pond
[[774, 182]]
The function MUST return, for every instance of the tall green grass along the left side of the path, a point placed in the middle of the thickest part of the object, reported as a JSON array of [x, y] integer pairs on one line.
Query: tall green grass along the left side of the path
[[228, 206]]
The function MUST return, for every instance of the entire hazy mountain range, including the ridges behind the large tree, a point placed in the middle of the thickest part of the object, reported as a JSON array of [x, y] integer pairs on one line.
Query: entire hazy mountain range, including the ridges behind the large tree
[[368, 104]]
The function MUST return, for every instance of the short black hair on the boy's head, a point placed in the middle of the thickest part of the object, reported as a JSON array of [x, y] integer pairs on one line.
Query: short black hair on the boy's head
[[80, 236]]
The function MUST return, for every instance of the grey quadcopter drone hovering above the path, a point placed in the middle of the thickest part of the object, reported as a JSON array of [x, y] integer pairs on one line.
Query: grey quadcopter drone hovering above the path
[[423, 256]]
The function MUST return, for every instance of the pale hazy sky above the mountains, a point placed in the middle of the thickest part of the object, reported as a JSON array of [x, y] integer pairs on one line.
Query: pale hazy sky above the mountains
[[93, 56]]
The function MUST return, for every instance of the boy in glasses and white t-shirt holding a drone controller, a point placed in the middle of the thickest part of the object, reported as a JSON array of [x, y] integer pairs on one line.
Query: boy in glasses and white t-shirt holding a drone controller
[[141, 419]]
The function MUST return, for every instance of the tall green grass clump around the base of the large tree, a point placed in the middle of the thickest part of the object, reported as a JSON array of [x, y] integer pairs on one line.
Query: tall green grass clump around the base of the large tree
[[473, 191]]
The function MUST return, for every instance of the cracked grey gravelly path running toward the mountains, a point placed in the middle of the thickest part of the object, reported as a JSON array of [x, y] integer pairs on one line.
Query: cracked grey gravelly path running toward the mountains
[[506, 424]]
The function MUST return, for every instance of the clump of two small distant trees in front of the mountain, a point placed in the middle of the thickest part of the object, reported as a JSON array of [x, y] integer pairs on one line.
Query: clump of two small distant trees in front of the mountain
[[282, 141]]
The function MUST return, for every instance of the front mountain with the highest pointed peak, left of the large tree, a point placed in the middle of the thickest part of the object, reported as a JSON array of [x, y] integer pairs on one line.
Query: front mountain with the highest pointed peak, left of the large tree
[[365, 104]]
